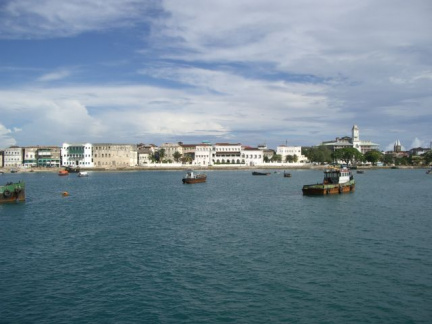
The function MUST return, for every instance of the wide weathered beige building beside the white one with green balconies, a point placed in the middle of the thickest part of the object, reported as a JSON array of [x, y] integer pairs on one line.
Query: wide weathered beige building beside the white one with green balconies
[[109, 155]]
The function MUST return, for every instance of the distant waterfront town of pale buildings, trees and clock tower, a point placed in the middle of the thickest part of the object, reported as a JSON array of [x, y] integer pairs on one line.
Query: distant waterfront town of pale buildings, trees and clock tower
[[349, 150]]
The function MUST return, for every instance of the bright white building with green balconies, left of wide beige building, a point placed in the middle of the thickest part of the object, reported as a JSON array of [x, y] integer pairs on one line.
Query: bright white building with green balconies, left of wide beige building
[[77, 155]]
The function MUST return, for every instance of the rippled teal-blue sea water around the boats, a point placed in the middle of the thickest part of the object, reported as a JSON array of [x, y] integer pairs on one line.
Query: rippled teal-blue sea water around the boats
[[141, 247]]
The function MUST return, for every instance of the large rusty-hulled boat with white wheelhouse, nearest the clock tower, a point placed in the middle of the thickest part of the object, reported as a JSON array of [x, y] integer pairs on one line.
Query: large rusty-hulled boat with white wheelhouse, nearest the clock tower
[[336, 181]]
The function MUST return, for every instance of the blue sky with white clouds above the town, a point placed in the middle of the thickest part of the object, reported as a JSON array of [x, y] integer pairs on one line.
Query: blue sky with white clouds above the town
[[272, 72]]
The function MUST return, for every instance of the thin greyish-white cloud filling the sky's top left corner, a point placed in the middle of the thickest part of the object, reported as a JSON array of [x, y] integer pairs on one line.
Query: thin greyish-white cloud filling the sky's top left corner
[[52, 18]]
